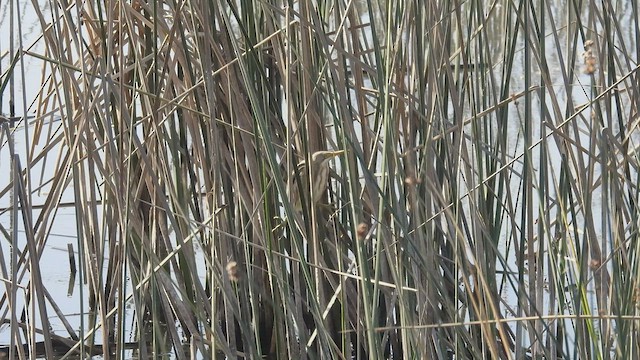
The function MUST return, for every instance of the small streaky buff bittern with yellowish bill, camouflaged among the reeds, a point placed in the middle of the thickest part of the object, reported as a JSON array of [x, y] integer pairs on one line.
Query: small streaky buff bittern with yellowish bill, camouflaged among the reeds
[[319, 172]]
